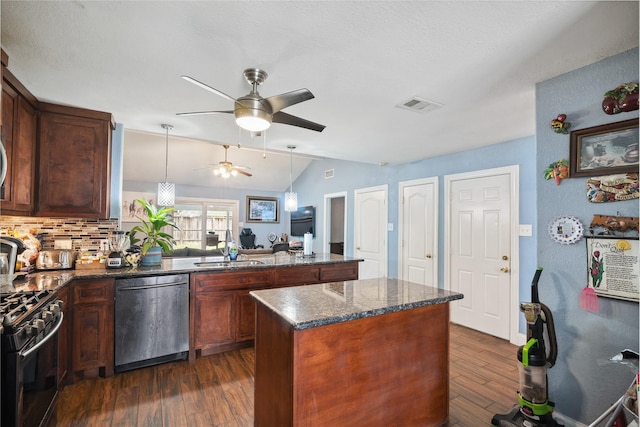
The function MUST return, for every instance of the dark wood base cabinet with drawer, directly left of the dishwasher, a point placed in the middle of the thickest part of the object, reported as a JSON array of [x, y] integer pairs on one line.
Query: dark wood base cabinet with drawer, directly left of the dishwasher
[[93, 328]]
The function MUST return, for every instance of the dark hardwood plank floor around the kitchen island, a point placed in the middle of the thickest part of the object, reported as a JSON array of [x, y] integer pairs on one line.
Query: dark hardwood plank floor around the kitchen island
[[217, 390]]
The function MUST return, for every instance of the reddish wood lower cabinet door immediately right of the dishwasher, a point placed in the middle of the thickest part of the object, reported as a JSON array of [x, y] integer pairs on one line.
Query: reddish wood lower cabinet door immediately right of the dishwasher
[[214, 319]]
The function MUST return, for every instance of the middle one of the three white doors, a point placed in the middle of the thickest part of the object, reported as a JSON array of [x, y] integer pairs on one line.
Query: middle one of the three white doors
[[418, 231]]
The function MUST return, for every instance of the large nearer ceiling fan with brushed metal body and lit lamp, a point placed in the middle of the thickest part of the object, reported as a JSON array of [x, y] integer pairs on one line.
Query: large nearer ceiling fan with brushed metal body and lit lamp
[[255, 113]]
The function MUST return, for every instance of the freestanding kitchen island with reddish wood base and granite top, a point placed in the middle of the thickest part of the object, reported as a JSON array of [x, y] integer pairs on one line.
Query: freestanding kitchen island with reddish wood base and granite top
[[363, 352]]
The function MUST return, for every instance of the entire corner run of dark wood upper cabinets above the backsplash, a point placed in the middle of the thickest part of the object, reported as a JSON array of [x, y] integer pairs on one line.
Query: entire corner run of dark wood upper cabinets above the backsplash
[[59, 157]]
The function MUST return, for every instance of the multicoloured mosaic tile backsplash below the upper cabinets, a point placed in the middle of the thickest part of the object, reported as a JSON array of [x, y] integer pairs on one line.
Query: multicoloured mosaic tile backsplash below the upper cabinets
[[84, 233]]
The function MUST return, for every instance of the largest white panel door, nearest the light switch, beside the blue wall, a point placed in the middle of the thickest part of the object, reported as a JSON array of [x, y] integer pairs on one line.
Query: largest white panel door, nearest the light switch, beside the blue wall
[[480, 247]]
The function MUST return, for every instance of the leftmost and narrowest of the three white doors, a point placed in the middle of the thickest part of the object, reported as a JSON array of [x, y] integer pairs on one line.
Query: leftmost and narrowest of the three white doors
[[370, 231]]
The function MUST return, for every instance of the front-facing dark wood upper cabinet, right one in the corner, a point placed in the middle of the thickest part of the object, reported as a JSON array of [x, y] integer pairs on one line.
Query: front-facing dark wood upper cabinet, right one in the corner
[[74, 162]]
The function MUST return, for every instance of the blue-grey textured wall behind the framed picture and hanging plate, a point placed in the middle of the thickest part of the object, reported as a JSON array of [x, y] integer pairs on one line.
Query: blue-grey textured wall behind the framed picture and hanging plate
[[582, 386]]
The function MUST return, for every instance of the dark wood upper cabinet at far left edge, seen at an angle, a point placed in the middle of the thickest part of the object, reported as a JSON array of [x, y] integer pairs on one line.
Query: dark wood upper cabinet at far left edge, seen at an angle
[[19, 118]]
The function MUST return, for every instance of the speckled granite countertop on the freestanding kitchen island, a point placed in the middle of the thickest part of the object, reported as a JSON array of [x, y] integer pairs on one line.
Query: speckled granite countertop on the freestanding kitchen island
[[311, 306]]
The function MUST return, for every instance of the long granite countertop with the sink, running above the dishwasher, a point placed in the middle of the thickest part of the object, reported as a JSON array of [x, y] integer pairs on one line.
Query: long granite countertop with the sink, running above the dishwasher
[[57, 278]]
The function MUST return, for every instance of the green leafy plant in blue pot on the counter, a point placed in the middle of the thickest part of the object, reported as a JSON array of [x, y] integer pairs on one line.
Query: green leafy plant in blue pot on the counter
[[154, 240]]
